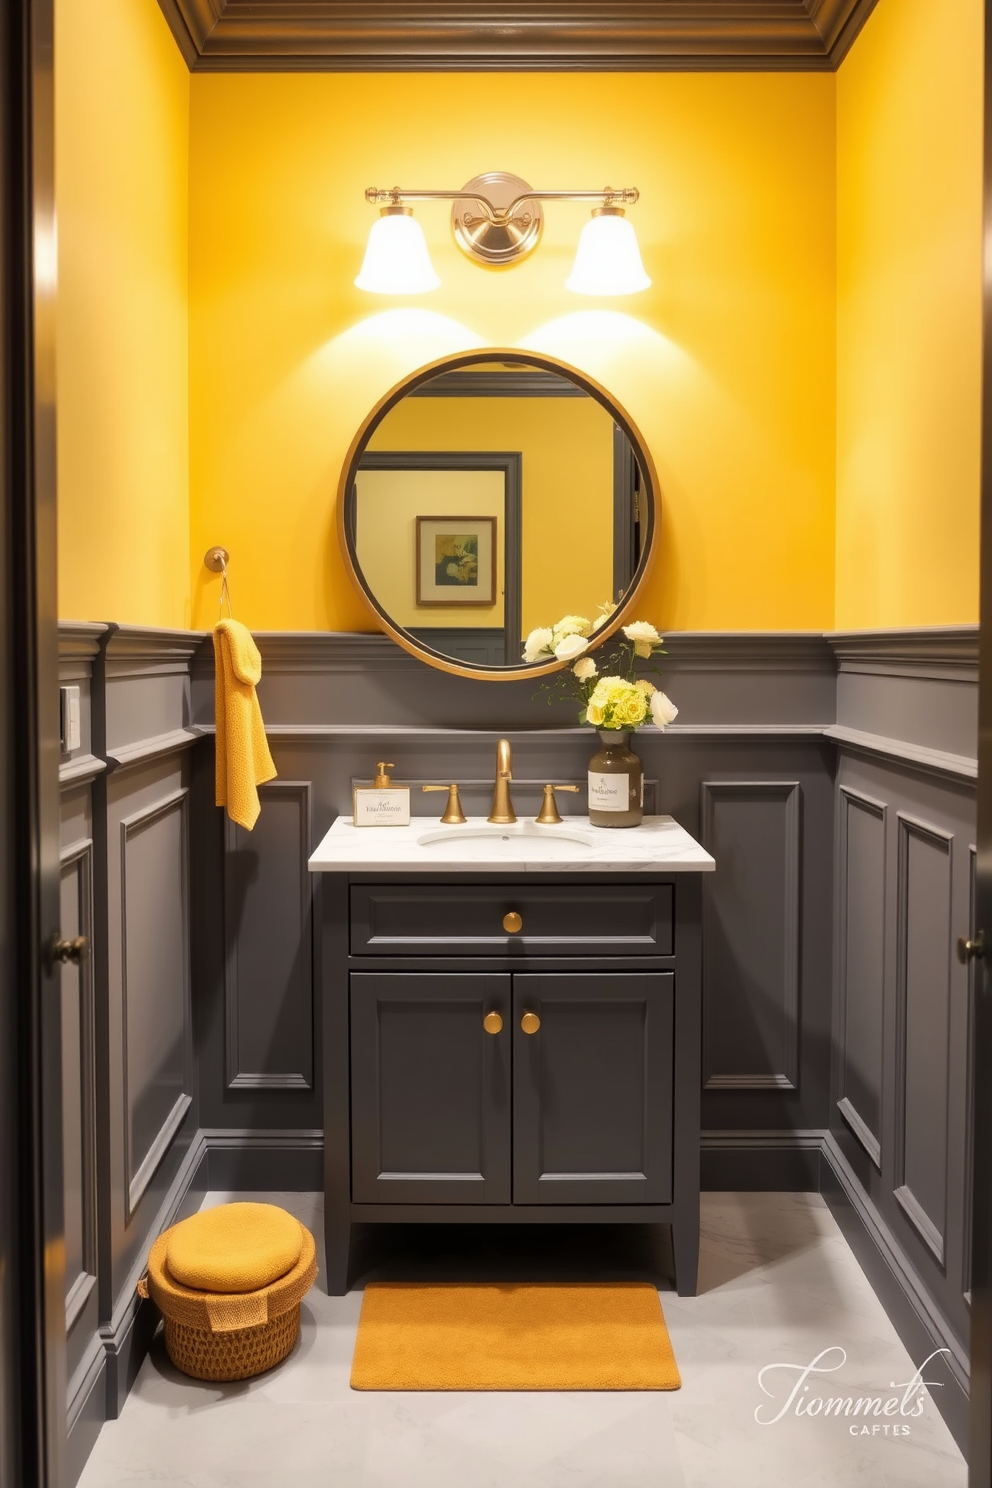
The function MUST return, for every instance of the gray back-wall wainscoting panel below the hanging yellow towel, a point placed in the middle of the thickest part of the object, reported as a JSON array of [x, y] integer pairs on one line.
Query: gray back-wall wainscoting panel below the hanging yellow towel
[[270, 937]]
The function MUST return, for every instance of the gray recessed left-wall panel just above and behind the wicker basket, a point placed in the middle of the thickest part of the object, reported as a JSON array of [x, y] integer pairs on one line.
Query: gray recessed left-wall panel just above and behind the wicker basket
[[144, 962]]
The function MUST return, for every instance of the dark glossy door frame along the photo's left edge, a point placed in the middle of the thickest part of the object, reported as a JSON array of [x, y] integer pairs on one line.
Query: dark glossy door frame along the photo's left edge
[[32, 1266]]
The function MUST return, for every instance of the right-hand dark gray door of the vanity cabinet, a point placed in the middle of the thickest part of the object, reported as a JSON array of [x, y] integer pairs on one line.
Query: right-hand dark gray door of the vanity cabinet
[[593, 1088]]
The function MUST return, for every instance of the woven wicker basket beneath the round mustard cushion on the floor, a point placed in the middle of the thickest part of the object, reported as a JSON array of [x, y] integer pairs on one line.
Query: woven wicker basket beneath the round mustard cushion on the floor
[[215, 1335]]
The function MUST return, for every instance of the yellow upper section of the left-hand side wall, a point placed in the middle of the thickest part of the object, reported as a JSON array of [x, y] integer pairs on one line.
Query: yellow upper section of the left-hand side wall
[[123, 190]]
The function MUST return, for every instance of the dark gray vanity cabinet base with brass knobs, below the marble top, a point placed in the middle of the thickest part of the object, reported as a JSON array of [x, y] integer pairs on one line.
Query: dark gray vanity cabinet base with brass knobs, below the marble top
[[508, 1051]]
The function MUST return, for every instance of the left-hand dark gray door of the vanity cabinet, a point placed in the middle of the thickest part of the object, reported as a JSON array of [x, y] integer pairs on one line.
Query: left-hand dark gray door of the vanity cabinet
[[431, 1088]]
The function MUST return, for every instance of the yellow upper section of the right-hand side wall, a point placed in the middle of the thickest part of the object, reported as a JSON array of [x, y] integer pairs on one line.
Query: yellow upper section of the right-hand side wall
[[909, 316]]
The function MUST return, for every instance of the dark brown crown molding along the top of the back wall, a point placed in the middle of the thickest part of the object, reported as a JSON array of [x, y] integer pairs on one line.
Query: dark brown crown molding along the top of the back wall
[[515, 35]]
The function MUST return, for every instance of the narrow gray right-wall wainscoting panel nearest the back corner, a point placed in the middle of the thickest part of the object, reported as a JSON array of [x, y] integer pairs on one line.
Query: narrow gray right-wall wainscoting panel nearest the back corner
[[862, 965]]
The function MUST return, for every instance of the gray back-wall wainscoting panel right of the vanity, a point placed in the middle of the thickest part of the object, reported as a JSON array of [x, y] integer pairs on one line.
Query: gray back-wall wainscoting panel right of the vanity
[[752, 917]]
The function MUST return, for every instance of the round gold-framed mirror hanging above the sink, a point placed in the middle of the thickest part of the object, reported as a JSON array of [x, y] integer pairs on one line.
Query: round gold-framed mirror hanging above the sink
[[490, 495]]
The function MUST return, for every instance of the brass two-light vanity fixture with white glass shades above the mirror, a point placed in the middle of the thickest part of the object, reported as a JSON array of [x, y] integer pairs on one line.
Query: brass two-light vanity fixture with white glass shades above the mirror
[[497, 221]]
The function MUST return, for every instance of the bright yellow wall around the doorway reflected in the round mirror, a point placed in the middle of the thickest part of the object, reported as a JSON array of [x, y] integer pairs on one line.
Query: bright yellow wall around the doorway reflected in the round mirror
[[567, 487]]
